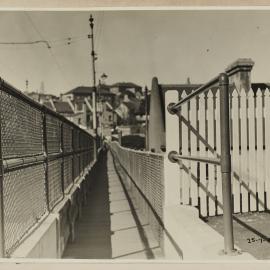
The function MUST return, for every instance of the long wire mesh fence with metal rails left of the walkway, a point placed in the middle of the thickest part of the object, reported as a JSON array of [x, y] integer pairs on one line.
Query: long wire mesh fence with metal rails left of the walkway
[[42, 154]]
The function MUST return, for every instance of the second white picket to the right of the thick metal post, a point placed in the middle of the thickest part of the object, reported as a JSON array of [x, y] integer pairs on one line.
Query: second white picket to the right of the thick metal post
[[244, 184]]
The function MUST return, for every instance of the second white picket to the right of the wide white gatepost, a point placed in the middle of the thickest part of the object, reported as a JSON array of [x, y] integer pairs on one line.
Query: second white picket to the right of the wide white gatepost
[[193, 152]]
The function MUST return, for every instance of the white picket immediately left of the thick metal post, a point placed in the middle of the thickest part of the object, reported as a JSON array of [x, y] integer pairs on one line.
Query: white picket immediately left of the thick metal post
[[218, 170]]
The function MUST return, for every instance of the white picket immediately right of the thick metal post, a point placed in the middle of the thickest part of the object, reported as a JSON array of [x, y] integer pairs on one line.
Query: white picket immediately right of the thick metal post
[[235, 151]]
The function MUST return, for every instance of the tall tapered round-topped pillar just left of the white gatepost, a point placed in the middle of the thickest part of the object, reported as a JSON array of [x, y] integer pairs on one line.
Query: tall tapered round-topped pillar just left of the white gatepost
[[156, 119]]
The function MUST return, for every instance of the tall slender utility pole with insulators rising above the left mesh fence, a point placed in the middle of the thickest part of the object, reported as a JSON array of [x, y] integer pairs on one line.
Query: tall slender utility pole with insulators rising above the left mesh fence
[[94, 92]]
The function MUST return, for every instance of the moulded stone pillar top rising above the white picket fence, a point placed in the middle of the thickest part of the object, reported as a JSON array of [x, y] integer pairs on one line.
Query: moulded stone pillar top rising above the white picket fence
[[239, 73]]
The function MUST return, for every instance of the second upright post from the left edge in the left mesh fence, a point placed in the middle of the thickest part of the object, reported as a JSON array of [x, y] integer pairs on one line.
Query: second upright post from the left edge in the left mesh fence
[[45, 149]]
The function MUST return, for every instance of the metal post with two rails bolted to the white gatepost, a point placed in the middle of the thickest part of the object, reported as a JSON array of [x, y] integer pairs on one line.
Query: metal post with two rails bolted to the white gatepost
[[225, 159]]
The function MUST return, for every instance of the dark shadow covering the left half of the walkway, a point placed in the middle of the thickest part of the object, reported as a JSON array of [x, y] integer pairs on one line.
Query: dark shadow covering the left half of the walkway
[[93, 232]]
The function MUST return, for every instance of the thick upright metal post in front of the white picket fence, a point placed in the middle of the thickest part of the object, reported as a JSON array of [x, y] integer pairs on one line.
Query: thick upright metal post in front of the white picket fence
[[226, 163]]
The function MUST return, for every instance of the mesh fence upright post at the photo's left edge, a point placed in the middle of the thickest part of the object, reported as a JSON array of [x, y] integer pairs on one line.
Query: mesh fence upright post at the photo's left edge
[[2, 222]]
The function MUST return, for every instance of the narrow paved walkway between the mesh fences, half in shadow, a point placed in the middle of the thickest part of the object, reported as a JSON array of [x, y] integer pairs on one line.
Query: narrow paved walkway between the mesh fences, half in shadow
[[111, 227]]
